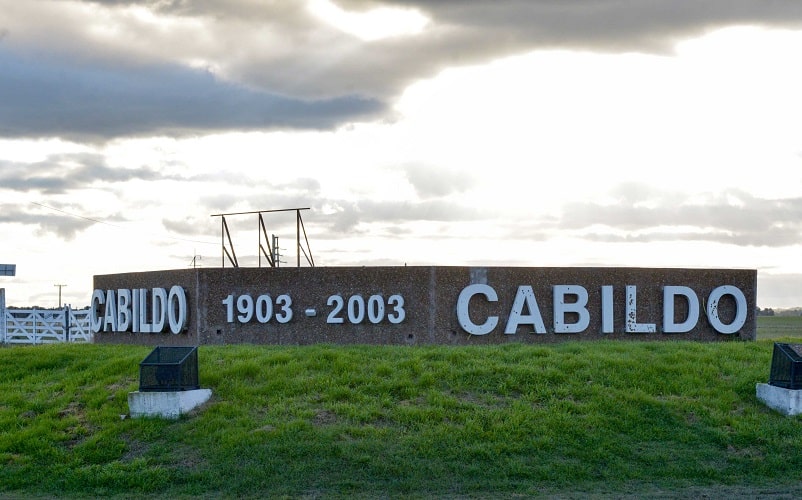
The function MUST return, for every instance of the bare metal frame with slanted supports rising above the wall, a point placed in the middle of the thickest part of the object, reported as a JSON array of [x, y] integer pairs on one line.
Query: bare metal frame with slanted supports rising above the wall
[[269, 252]]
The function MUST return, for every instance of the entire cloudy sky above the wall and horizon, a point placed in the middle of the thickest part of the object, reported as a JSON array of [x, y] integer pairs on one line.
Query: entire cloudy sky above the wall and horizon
[[659, 133]]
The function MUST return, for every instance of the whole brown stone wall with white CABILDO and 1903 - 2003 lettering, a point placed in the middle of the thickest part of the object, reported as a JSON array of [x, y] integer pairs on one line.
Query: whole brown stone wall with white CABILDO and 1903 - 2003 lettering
[[423, 305]]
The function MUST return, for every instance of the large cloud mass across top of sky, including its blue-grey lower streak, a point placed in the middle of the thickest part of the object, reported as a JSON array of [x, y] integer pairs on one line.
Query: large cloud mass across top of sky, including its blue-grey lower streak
[[279, 66]]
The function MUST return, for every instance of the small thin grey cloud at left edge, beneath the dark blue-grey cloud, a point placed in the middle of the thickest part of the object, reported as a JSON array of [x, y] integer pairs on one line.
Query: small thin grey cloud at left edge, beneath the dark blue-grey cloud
[[58, 174]]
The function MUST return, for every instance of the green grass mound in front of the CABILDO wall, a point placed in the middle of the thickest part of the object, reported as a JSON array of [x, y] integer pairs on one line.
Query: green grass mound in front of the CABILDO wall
[[598, 417]]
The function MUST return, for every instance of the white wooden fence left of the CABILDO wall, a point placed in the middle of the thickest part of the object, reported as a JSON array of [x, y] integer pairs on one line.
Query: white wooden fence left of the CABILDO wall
[[43, 326]]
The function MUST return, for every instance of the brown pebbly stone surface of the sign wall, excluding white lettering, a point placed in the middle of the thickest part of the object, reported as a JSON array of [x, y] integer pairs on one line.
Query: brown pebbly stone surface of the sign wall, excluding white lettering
[[430, 297]]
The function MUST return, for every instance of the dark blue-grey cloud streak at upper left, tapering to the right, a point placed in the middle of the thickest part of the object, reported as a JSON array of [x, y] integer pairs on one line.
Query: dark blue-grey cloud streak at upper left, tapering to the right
[[51, 98]]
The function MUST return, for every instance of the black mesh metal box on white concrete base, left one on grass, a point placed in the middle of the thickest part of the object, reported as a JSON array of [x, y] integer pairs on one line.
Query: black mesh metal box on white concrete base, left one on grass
[[168, 369]]
